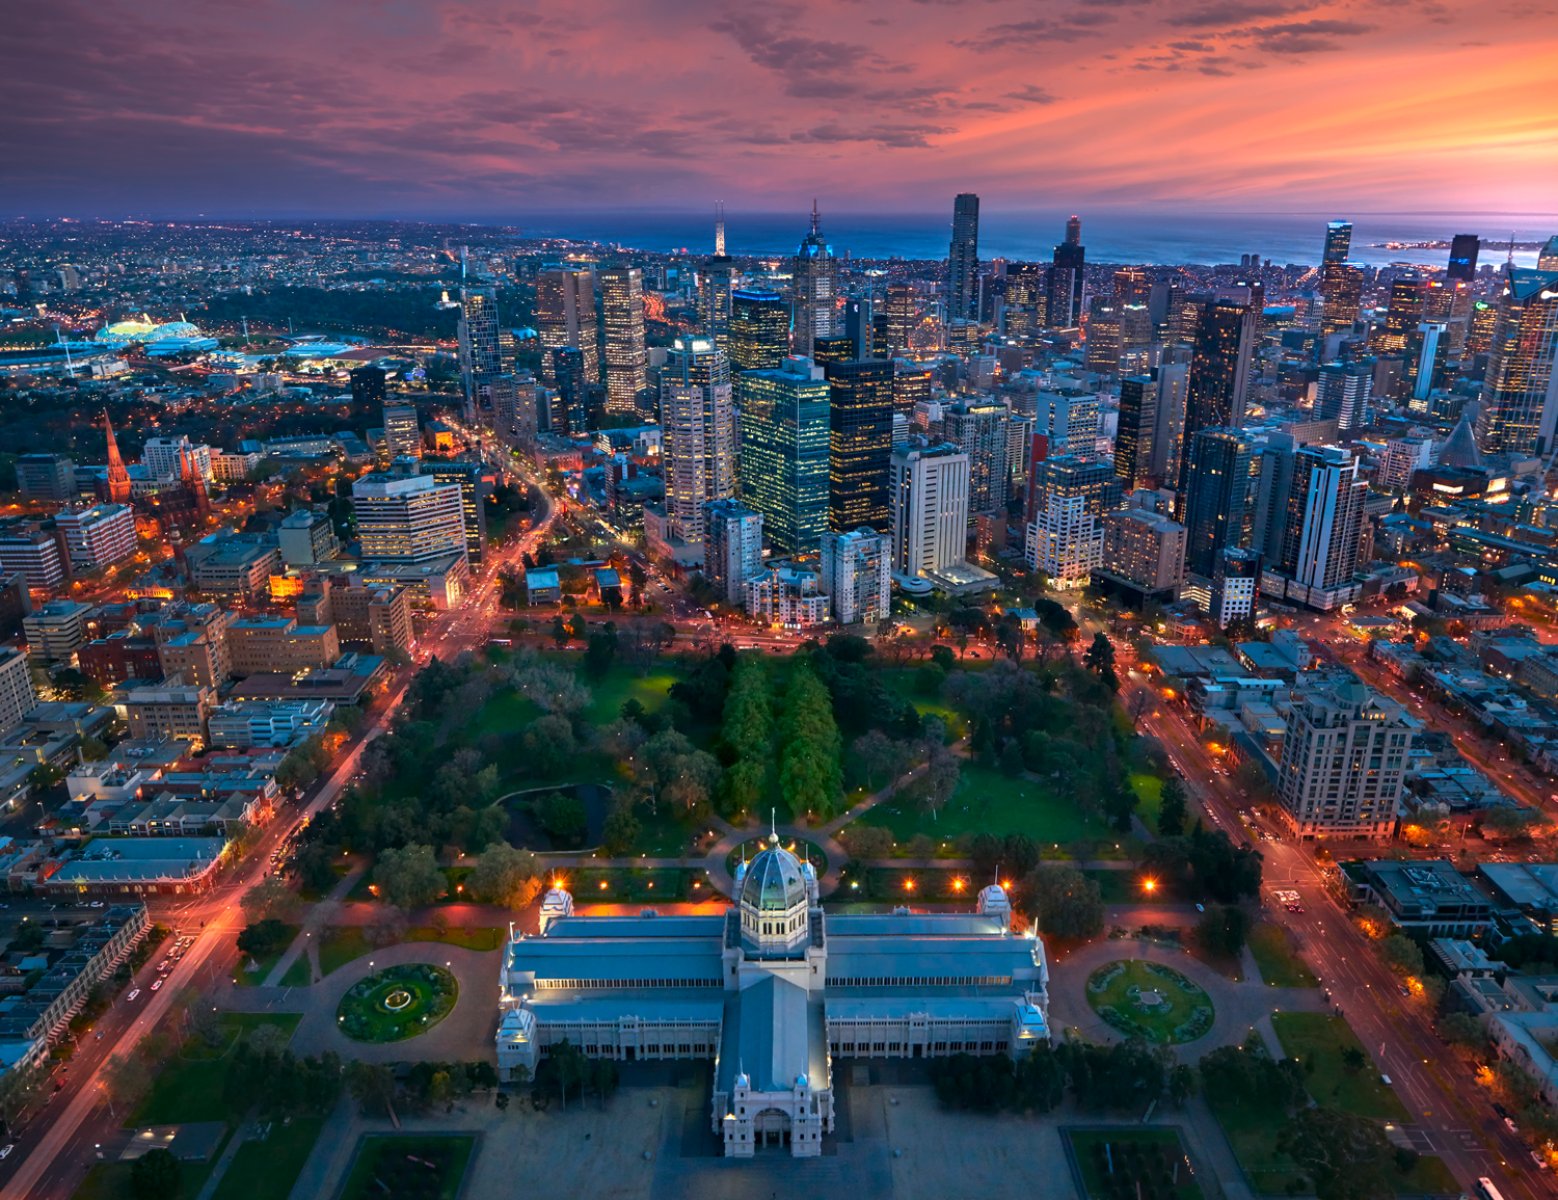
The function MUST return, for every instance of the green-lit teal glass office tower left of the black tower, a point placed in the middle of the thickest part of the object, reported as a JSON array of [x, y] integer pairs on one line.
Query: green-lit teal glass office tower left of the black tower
[[784, 453]]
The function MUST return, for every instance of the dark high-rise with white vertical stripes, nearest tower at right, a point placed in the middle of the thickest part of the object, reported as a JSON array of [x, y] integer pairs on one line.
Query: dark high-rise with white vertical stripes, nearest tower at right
[[1322, 529]]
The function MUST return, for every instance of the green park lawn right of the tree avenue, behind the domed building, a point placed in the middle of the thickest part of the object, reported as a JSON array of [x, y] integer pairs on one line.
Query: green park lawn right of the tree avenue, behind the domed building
[[989, 802]]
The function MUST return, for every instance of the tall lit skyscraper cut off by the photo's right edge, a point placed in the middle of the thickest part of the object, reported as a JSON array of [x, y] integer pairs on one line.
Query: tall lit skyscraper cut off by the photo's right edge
[[1521, 389]]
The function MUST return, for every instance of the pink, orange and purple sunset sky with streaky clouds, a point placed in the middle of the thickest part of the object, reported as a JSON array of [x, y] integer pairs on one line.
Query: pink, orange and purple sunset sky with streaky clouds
[[493, 108]]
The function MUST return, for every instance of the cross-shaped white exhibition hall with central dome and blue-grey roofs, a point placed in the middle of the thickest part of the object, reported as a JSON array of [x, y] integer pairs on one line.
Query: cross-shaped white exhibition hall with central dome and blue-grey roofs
[[774, 992]]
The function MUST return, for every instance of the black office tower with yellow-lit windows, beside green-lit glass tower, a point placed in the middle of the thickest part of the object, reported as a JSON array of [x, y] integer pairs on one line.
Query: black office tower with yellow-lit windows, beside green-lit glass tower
[[861, 445]]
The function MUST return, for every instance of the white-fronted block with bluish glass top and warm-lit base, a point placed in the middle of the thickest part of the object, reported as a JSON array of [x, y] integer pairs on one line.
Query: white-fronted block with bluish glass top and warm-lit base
[[1066, 535]]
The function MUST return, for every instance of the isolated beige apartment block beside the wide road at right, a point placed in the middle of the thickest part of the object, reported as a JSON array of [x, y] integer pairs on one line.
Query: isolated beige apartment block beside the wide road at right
[[1344, 763]]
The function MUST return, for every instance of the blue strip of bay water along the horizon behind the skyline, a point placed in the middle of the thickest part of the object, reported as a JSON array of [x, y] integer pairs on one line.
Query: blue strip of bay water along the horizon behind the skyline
[[1112, 236]]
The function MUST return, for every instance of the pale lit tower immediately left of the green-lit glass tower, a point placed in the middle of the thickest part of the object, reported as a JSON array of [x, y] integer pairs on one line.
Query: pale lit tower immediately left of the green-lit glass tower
[[699, 423]]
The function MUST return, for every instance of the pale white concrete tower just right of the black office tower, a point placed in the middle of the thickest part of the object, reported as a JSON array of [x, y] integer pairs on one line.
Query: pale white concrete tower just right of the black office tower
[[931, 507]]
